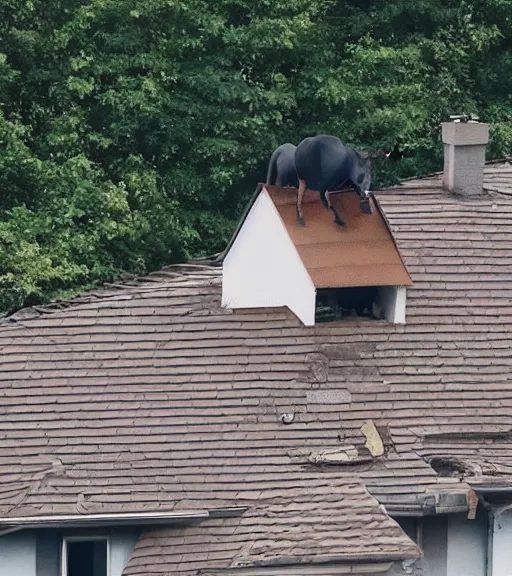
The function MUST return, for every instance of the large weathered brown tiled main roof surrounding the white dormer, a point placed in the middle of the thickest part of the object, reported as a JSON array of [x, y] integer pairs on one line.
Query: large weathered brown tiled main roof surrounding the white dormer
[[150, 396]]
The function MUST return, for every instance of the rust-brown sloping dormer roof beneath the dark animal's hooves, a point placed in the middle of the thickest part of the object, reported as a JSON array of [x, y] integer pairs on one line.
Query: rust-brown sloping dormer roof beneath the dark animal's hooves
[[361, 253]]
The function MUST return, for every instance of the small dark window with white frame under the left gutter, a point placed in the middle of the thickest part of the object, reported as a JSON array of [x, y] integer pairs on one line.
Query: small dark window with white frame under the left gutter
[[85, 556]]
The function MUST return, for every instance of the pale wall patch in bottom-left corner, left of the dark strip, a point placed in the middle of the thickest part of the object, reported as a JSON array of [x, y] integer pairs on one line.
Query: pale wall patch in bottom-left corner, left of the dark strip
[[18, 554]]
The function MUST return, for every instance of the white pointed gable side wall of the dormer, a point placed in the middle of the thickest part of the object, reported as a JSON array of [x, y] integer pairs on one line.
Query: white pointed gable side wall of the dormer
[[263, 269]]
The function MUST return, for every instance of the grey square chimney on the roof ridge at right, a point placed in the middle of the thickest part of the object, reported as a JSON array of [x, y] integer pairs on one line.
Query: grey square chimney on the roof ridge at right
[[464, 156]]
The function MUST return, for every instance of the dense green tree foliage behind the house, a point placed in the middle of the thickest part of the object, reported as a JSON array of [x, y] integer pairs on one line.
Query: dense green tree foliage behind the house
[[132, 132]]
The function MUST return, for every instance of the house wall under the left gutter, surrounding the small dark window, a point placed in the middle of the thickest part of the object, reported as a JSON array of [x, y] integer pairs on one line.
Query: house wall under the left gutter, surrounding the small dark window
[[38, 553]]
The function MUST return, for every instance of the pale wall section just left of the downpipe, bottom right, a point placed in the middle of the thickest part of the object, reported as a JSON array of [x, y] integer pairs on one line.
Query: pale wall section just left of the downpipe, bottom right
[[467, 546]]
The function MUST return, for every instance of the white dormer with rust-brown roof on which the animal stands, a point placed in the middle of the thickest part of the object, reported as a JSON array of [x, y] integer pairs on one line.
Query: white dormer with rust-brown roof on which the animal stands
[[272, 261]]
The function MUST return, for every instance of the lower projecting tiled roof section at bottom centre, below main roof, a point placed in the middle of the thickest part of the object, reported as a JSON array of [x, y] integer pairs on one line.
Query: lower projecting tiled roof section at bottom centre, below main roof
[[293, 525]]
